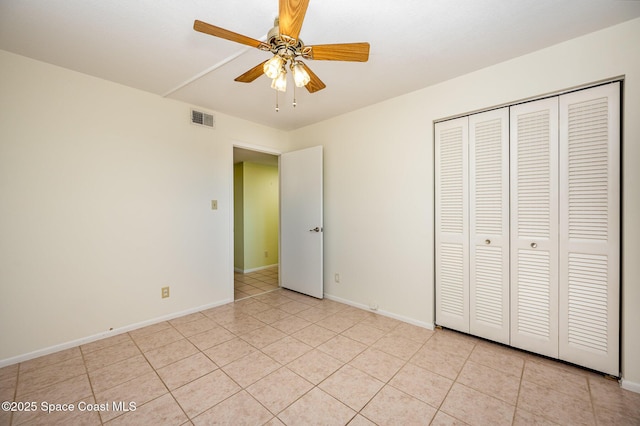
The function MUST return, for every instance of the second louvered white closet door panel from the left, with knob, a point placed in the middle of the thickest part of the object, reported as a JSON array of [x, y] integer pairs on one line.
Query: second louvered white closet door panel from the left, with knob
[[489, 224]]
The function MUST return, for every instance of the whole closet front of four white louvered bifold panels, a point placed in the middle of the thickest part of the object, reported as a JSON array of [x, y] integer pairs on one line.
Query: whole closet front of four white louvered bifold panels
[[527, 220]]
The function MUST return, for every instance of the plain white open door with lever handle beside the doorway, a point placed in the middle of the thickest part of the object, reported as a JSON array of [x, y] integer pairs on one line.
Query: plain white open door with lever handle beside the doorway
[[301, 221]]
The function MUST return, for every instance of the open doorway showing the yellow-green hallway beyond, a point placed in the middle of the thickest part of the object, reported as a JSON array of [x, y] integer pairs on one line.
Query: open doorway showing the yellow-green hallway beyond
[[256, 222]]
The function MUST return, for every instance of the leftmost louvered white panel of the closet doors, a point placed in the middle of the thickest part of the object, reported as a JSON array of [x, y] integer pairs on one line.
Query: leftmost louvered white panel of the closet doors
[[452, 224]]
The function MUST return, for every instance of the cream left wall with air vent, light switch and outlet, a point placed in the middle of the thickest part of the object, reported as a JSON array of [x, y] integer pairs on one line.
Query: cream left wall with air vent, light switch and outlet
[[105, 197]]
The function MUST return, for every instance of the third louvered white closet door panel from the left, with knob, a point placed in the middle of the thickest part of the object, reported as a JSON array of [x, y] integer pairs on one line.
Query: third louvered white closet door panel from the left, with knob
[[534, 226]]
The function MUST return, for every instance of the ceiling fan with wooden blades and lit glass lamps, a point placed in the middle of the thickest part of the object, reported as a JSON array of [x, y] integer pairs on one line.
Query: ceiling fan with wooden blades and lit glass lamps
[[287, 48]]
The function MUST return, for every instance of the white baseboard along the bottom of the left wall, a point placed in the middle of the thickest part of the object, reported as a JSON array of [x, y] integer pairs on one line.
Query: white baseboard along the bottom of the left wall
[[105, 334]]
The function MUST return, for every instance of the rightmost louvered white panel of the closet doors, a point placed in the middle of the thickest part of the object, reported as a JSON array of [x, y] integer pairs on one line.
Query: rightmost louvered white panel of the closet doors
[[590, 227]]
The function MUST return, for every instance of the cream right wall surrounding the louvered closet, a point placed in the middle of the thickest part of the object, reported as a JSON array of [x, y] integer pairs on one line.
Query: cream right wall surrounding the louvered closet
[[379, 185]]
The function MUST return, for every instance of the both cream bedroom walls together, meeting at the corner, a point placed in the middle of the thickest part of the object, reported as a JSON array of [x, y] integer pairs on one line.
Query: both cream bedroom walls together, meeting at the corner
[[105, 194]]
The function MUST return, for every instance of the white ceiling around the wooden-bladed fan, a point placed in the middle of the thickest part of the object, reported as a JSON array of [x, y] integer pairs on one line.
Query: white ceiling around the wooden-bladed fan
[[151, 45]]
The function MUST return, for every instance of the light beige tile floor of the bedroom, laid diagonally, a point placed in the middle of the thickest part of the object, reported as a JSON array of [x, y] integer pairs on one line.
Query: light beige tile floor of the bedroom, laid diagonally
[[284, 358]]
